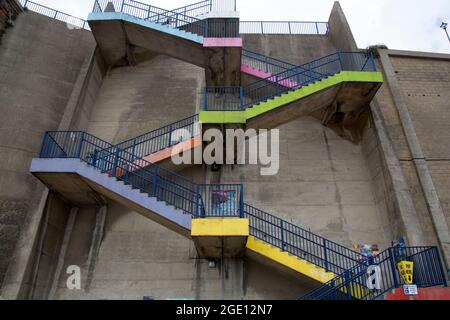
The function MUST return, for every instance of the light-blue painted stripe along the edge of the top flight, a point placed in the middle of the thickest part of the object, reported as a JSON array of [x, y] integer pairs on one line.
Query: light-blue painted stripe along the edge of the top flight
[[105, 16]]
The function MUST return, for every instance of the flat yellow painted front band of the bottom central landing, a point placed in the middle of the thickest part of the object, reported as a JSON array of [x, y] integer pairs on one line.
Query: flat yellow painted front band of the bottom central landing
[[211, 227]]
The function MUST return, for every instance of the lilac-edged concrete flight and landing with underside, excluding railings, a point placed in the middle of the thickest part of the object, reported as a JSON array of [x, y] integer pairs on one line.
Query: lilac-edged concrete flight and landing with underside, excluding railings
[[81, 184]]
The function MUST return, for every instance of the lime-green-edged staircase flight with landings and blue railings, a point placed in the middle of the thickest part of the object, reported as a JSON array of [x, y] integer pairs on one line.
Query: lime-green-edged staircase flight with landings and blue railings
[[344, 82]]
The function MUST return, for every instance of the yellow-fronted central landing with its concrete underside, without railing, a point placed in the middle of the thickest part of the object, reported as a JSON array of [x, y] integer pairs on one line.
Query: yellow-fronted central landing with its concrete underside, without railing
[[217, 238]]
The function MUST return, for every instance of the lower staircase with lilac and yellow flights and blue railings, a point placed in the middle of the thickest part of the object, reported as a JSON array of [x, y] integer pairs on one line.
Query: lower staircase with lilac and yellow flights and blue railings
[[75, 163]]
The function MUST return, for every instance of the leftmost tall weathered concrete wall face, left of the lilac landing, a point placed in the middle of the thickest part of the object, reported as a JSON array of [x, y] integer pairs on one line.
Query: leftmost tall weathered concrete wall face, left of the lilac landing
[[40, 60]]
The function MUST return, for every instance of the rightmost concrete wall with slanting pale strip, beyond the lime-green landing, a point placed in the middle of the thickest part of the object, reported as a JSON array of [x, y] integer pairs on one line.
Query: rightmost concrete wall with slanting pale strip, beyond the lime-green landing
[[417, 108]]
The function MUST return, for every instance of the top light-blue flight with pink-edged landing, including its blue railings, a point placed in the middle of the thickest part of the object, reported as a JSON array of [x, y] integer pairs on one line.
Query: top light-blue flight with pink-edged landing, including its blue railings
[[128, 32]]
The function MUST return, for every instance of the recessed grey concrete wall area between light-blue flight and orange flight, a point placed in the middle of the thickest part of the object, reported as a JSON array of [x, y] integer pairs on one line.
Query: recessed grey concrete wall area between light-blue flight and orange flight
[[136, 100]]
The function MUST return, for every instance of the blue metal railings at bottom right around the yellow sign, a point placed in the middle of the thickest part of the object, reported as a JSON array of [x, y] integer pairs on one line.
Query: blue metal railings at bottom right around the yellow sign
[[354, 282]]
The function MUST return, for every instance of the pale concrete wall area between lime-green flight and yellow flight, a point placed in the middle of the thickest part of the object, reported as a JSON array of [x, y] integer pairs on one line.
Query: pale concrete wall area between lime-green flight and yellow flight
[[324, 184]]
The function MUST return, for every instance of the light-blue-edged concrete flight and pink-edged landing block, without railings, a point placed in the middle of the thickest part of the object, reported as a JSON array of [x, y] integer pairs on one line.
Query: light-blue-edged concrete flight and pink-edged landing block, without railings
[[120, 37]]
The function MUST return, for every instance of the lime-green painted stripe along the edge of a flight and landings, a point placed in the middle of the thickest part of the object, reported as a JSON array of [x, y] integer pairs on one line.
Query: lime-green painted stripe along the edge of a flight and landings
[[292, 96]]
